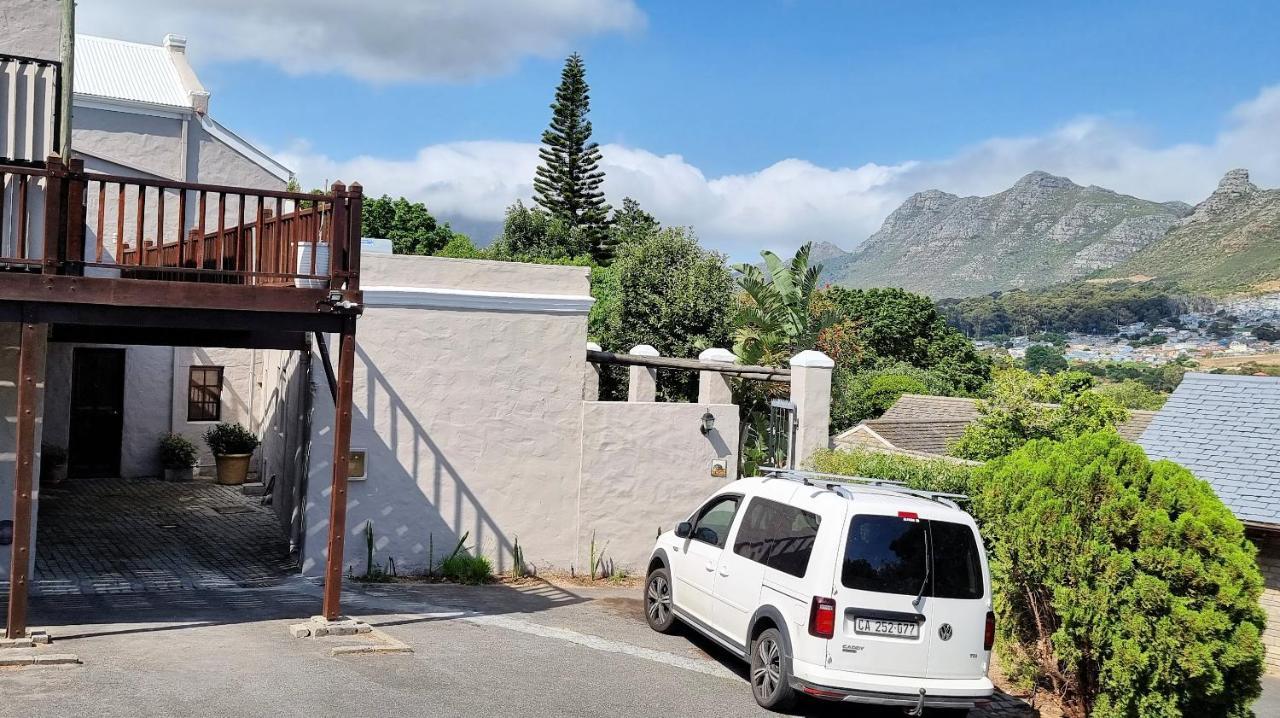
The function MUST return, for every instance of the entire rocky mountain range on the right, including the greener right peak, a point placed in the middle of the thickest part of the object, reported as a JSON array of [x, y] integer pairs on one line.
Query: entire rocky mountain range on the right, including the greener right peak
[[1046, 230]]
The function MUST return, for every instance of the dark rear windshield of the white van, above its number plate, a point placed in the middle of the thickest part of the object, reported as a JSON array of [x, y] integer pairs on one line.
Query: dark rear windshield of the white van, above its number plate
[[889, 555]]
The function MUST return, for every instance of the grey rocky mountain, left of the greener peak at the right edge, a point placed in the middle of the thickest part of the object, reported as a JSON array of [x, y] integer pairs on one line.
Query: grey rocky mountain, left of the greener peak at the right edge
[[1045, 230]]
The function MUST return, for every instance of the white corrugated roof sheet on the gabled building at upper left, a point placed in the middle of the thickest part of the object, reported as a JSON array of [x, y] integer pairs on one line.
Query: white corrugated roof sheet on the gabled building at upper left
[[127, 71]]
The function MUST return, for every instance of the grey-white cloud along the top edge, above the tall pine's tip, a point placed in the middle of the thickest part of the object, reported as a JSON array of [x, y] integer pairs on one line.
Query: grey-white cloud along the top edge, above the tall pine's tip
[[376, 40]]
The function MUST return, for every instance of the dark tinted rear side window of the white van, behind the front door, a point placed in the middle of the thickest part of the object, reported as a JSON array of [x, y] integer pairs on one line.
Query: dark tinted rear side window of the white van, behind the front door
[[778, 536]]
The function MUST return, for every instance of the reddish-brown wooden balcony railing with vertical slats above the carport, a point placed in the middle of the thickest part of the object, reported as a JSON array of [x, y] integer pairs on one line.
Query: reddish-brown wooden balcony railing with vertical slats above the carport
[[65, 221]]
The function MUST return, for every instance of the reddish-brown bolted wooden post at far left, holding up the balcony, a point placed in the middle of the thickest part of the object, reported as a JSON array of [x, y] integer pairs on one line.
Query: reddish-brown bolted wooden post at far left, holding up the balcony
[[31, 359]]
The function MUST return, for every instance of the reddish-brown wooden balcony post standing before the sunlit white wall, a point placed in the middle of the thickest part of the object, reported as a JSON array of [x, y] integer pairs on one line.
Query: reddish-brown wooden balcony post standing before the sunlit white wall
[[332, 609]]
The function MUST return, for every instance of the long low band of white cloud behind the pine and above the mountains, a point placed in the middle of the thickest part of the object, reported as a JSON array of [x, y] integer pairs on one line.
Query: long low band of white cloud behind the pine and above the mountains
[[793, 202]]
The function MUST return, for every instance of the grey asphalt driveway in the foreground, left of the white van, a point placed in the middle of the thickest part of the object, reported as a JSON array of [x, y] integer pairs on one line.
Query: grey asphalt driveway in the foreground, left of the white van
[[495, 651]]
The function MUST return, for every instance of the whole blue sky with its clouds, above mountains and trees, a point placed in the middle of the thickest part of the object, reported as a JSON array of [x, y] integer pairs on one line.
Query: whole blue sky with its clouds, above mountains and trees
[[860, 103]]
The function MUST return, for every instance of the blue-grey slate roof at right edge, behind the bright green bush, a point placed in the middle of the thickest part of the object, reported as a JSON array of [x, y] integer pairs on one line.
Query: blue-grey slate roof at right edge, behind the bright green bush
[[1226, 431]]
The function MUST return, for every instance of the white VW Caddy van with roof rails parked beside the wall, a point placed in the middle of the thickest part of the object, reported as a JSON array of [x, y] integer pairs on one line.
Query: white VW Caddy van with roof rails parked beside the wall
[[851, 589]]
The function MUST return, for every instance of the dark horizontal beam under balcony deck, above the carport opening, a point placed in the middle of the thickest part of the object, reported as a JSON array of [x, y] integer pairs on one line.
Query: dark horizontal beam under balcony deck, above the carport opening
[[143, 336]]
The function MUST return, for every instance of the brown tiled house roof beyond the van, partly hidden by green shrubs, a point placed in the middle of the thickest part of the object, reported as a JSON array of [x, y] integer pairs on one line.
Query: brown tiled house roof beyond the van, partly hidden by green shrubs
[[926, 427]]
